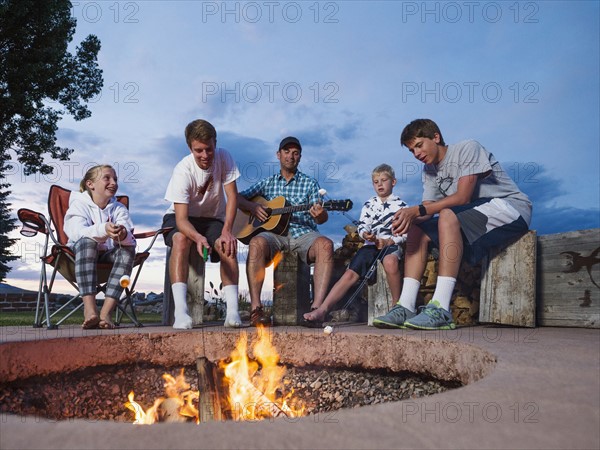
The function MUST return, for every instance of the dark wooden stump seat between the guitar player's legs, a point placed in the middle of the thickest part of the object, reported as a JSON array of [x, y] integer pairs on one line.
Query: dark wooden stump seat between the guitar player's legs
[[291, 284]]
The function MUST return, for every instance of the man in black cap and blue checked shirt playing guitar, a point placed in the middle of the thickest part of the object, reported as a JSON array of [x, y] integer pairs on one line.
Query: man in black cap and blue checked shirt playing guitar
[[301, 236]]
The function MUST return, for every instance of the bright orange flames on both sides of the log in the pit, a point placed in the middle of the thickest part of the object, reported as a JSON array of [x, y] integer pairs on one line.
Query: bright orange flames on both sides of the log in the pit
[[255, 388]]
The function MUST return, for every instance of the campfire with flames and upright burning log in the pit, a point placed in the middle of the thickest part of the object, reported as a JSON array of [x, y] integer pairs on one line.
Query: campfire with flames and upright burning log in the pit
[[238, 388]]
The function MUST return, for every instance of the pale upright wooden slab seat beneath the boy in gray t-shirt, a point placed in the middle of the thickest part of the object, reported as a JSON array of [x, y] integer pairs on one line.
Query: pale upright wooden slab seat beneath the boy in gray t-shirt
[[508, 284]]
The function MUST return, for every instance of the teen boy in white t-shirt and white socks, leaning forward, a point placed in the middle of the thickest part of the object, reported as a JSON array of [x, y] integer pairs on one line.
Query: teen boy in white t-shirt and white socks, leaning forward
[[203, 193]]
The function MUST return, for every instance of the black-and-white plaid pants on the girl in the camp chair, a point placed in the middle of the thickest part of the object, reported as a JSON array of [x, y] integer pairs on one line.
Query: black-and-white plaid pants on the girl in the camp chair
[[87, 257]]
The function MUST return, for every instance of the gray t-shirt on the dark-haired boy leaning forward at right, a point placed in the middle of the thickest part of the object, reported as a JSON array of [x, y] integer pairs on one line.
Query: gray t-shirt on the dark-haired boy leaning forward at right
[[470, 158]]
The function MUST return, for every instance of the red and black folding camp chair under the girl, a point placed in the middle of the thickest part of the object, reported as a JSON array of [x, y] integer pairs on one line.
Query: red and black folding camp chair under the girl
[[62, 259]]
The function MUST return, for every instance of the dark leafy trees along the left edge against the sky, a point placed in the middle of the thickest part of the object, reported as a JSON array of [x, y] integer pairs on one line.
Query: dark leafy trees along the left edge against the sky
[[40, 80]]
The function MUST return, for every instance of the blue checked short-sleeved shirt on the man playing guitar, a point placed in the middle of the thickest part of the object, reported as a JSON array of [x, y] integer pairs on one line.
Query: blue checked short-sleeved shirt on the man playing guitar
[[300, 190]]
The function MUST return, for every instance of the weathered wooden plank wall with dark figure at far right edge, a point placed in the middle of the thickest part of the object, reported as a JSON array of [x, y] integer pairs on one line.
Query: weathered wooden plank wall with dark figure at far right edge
[[569, 279]]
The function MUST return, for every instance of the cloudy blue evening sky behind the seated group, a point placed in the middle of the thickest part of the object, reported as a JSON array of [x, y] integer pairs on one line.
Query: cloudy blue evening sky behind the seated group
[[344, 77]]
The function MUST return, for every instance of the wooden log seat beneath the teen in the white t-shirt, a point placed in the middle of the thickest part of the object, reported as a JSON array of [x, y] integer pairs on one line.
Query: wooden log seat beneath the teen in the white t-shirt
[[195, 293]]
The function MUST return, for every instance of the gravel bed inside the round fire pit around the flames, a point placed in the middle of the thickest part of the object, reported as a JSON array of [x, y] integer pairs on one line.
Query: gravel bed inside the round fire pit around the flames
[[100, 393]]
